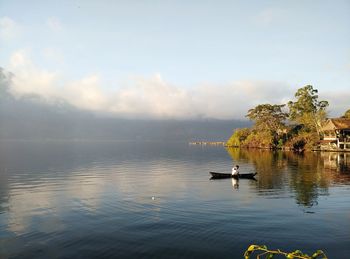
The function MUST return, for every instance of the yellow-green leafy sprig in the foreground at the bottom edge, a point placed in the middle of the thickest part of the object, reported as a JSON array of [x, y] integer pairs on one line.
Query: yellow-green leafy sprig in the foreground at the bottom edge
[[261, 251]]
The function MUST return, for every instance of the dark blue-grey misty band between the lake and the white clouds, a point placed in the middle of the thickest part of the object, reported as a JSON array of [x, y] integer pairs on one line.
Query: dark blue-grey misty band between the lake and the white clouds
[[33, 117]]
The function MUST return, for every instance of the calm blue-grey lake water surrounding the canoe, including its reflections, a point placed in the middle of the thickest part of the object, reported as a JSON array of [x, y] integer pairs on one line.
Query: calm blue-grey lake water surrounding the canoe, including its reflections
[[94, 199]]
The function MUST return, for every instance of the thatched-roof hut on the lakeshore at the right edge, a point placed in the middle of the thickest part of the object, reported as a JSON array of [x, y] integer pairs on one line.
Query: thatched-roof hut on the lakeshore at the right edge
[[336, 135]]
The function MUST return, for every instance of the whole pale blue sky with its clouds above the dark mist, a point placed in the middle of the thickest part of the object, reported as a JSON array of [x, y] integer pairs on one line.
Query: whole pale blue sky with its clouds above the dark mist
[[176, 59]]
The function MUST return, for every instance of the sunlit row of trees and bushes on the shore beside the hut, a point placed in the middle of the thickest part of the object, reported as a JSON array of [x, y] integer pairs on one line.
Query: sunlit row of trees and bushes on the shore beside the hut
[[295, 125]]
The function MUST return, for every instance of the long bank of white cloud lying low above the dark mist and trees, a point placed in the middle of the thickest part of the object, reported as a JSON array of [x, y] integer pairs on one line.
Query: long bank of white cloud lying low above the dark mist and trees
[[153, 97]]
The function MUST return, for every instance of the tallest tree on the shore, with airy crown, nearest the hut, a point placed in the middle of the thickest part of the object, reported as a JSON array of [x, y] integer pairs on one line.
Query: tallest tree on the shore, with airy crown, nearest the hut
[[307, 109]]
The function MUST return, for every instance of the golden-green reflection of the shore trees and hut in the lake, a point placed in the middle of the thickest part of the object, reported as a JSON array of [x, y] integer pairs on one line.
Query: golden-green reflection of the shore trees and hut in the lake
[[307, 175]]
